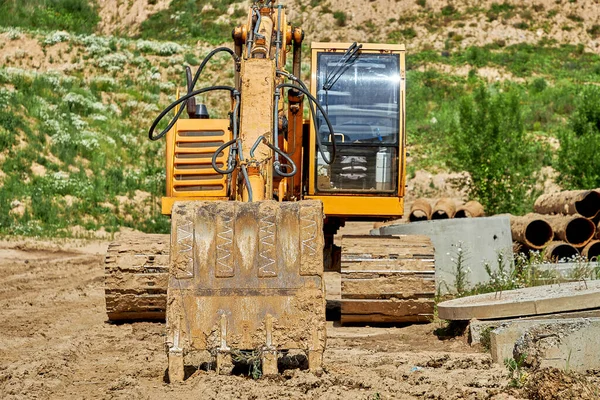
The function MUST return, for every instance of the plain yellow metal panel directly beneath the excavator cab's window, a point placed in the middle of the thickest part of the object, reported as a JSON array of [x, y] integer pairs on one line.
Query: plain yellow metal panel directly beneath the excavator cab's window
[[361, 206]]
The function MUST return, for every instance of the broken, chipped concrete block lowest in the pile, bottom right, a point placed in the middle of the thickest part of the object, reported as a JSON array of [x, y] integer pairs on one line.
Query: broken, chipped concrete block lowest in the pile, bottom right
[[565, 343]]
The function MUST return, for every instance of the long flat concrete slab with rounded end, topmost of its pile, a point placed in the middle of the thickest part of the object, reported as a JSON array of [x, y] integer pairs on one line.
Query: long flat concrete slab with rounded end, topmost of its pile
[[537, 300]]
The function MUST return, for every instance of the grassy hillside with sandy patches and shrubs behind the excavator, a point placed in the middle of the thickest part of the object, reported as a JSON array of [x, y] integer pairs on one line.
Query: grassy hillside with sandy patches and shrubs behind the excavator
[[505, 91]]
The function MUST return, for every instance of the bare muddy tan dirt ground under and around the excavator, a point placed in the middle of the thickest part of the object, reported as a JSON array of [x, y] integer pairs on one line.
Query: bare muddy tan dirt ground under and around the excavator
[[55, 343]]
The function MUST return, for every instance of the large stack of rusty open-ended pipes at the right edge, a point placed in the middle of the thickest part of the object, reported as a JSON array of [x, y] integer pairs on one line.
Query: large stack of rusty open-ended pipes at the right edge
[[563, 225]]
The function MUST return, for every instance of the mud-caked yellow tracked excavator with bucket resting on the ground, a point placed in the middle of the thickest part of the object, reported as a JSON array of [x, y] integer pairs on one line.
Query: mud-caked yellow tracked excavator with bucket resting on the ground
[[256, 200]]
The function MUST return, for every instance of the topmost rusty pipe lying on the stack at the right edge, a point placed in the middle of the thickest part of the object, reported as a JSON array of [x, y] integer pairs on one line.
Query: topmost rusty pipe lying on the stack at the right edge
[[583, 202]]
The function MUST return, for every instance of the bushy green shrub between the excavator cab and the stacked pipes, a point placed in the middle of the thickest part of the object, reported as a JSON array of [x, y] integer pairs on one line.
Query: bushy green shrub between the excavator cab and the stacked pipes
[[490, 142]]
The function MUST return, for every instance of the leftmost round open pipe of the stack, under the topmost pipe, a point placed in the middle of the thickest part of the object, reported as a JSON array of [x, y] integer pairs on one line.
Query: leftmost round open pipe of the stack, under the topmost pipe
[[532, 230]]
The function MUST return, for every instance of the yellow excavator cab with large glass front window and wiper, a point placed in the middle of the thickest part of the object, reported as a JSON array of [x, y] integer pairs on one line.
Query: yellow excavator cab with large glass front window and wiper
[[362, 89]]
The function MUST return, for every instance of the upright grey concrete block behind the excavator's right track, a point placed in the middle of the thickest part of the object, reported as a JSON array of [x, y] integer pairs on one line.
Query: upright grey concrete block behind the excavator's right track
[[480, 239]]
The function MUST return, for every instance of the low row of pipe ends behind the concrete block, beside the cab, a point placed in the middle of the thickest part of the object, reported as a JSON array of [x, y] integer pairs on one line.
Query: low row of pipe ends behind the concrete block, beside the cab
[[444, 208]]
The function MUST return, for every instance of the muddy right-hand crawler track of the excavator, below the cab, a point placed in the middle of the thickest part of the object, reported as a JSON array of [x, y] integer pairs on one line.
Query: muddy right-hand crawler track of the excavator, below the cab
[[387, 279]]
